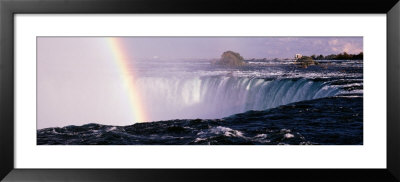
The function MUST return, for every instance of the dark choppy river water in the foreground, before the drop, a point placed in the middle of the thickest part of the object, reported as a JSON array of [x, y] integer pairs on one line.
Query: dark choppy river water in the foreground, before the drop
[[326, 121]]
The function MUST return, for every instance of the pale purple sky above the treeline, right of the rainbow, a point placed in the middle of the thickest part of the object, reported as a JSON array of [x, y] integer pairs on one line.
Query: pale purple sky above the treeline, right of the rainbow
[[267, 47]]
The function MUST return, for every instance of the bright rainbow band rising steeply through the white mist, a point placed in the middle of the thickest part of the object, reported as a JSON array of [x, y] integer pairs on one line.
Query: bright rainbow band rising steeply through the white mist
[[120, 55]]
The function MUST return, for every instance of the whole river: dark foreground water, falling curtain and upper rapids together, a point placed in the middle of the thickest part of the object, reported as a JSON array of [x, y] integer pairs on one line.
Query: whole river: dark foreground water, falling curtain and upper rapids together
[[265, 102]]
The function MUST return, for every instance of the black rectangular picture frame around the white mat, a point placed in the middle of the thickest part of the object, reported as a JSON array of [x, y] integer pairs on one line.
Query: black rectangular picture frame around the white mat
[[9, 8]]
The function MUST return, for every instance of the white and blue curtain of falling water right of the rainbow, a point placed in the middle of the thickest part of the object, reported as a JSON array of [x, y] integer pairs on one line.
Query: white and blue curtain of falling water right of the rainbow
[[211, 97]]
